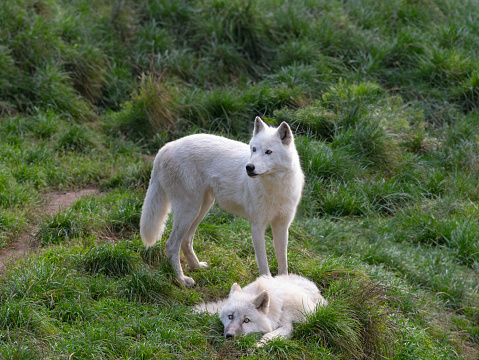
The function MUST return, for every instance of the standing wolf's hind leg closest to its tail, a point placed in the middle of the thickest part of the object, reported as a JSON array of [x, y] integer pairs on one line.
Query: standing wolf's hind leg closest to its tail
[[184, 214]]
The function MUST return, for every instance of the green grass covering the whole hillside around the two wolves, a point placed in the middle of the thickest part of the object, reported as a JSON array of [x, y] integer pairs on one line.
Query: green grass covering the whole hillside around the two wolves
[[384, 99]]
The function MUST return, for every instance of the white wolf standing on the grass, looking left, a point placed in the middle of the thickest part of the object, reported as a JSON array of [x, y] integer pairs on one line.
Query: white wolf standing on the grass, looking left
[[262, 182]]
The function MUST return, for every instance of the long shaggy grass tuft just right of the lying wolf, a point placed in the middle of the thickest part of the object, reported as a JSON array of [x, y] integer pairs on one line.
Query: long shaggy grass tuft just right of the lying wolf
[[355, 321]]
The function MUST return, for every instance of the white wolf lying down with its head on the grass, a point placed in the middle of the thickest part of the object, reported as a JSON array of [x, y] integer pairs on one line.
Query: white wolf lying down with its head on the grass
[[270, 305]]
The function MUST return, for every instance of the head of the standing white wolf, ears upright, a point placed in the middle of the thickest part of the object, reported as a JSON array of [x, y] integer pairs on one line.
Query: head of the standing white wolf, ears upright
[[272, 150]]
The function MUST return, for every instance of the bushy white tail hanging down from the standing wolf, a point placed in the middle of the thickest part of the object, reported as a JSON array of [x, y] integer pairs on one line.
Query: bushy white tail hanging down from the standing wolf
[[154, 214]]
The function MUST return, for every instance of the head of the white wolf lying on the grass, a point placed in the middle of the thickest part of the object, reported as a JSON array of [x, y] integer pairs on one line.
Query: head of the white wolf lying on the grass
[[245, 314]]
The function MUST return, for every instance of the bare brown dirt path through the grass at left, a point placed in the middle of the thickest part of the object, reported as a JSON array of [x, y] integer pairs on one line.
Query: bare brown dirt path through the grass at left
[[24, 243]]
